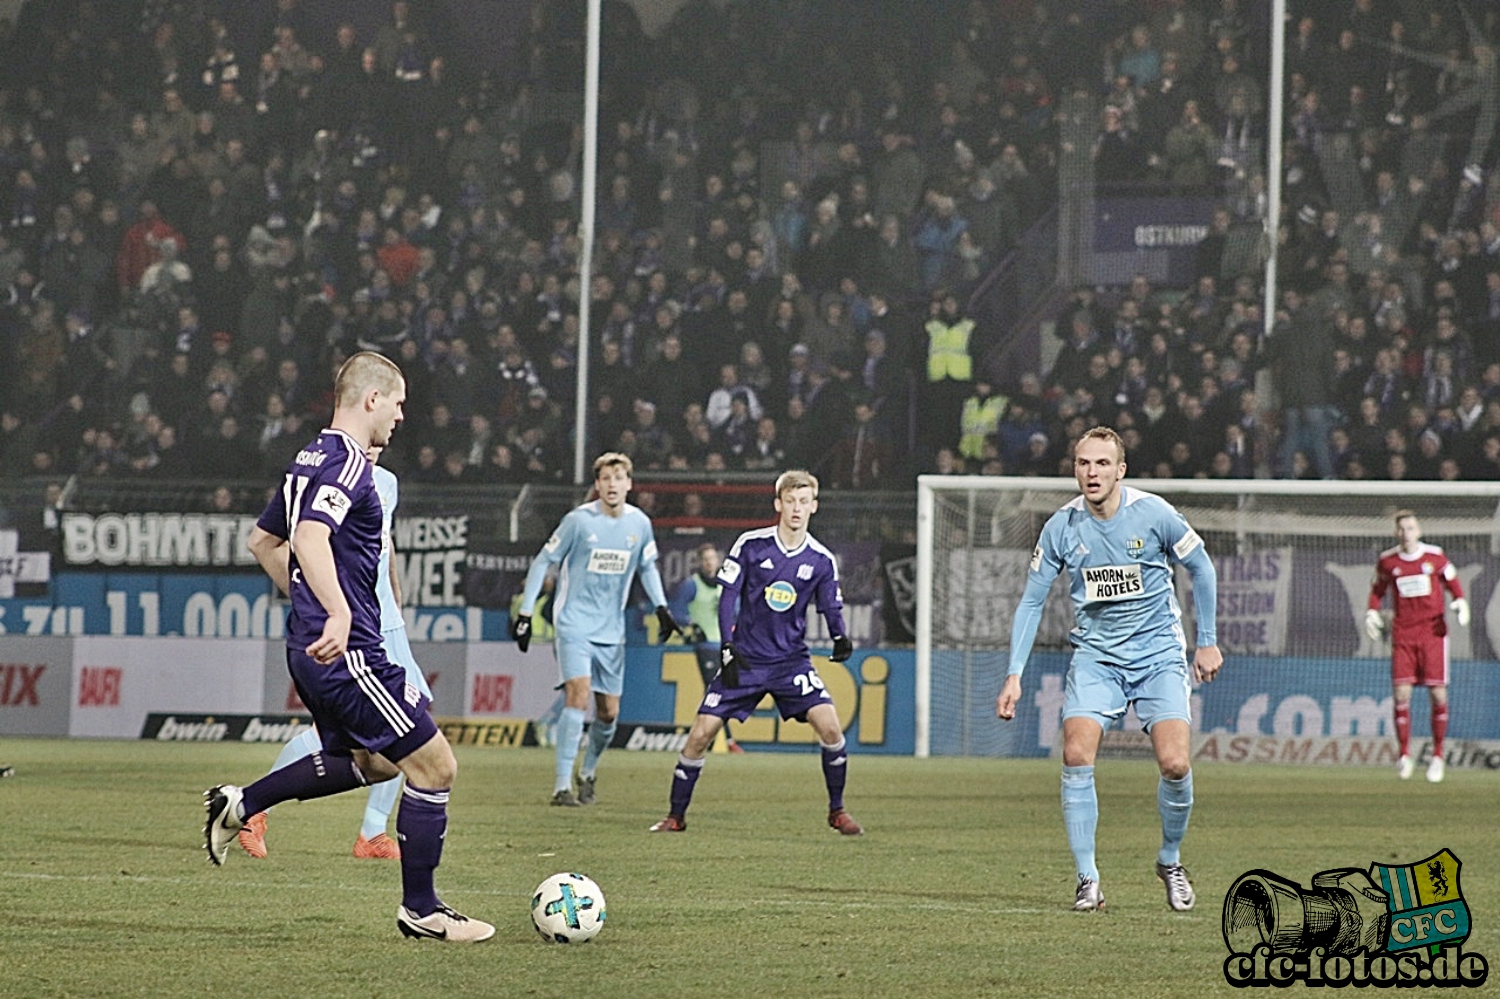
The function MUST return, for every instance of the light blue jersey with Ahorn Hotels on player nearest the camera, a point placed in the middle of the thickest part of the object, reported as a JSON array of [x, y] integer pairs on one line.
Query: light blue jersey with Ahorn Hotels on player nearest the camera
[[1121, 581]]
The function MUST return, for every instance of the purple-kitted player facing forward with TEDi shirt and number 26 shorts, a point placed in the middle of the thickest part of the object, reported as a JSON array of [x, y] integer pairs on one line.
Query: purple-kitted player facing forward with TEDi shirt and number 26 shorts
[[770, 578]]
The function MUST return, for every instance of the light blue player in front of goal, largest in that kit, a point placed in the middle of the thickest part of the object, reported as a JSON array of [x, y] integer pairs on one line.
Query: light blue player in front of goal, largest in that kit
[[1117, 545]]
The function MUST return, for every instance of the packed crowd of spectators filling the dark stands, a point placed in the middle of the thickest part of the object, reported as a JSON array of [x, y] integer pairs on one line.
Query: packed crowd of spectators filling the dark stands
[[206, 206]]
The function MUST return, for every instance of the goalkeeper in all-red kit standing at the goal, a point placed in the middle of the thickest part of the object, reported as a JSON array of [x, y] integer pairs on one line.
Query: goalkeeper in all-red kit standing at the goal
[[1418, 632]]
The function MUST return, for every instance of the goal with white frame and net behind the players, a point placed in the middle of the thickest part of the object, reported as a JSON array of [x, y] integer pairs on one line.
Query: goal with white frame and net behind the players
[[1295, 562]]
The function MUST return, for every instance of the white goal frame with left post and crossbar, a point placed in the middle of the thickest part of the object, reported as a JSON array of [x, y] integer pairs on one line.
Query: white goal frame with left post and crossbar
[[1414, 494]]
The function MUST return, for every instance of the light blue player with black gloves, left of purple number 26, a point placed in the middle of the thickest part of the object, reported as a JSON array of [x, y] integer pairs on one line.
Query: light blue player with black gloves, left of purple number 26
[[598, 550]]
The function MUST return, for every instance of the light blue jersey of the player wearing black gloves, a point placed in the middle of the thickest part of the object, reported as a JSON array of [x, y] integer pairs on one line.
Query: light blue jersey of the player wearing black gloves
[[598, 557]]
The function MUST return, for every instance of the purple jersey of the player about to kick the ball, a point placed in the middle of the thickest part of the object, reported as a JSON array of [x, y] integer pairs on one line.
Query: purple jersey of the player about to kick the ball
[[331, 482]]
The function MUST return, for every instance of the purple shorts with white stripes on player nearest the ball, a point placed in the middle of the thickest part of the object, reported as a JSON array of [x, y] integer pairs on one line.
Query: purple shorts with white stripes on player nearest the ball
[[364, 701]]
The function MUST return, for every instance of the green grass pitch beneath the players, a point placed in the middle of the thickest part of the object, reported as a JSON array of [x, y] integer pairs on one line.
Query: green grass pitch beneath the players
[[961, 887]]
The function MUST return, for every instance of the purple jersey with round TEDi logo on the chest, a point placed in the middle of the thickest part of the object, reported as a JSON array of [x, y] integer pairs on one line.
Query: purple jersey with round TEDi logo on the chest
[[775, 587]]
